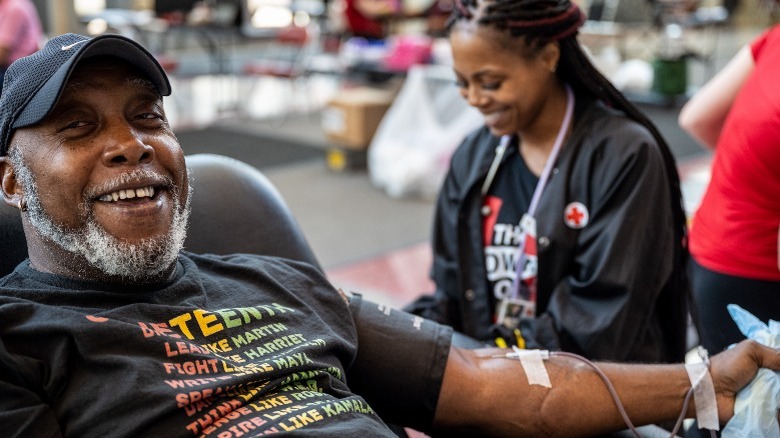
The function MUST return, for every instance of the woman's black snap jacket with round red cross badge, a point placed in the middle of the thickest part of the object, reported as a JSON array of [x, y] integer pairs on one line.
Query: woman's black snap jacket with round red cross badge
[[604, 291]]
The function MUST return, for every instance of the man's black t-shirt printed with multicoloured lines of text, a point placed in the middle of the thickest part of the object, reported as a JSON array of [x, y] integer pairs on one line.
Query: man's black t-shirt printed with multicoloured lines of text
[[233, 346]]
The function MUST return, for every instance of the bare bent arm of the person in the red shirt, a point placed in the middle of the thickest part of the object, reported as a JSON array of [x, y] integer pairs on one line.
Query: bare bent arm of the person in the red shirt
[[703, 115]]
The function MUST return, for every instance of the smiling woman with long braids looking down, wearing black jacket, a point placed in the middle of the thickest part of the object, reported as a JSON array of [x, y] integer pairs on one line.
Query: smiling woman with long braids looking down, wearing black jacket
[[567, 183]]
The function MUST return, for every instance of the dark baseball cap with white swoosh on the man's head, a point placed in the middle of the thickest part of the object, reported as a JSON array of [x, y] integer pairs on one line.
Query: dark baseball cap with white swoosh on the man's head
[[33, 84]]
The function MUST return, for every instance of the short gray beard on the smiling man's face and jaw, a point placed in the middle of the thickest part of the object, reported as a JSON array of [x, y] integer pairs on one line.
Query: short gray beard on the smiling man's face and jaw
[[115, 258]]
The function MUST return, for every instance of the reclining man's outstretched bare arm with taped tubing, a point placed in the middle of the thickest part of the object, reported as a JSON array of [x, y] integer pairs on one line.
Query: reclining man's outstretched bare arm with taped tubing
[[492, 396]]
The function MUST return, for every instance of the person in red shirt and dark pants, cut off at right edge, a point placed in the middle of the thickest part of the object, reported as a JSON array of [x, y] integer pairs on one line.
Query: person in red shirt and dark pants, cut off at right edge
[[735, 232]]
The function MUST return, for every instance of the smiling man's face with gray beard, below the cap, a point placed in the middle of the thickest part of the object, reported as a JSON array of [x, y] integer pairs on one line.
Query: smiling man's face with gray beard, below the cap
[[108, 120]]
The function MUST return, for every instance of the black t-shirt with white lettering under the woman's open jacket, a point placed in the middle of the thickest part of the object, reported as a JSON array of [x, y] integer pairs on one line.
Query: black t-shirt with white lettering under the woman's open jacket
[[508, 198]]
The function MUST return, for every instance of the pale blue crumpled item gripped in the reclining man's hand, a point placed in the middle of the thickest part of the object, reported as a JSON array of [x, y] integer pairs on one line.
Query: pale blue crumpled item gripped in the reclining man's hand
[[756, 406]]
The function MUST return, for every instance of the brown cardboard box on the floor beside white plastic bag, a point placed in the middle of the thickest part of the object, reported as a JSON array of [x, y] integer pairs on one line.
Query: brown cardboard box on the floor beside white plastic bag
[[350, 119]]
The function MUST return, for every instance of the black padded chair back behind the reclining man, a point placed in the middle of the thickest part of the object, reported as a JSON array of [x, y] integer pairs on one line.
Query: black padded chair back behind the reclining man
[[235, 208]]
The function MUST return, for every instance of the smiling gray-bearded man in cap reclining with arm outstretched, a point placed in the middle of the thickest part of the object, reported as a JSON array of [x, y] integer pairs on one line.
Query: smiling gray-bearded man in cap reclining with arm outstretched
[[111, 329]]
